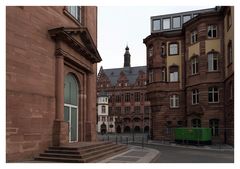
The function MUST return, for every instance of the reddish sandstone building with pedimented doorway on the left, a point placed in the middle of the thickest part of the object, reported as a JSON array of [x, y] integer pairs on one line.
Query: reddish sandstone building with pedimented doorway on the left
[[50, 78]]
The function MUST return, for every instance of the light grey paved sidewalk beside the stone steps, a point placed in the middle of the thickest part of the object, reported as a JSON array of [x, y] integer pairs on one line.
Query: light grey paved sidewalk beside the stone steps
[[135, 154]]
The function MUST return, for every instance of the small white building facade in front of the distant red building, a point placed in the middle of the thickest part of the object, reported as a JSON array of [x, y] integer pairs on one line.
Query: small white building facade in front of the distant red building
[[105, 122]]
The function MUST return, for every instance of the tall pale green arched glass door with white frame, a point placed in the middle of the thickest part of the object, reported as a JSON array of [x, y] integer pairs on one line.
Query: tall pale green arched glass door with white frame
[[71, 106]]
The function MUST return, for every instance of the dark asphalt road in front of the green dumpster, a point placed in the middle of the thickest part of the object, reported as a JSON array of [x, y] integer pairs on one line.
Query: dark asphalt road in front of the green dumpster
[[184, 155]]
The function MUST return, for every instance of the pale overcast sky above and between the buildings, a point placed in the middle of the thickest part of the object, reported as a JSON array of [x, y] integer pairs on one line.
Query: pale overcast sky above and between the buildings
[[122, 25]]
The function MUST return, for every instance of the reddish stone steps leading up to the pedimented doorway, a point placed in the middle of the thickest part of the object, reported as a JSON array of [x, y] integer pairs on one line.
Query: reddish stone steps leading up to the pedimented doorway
[[81, 152]]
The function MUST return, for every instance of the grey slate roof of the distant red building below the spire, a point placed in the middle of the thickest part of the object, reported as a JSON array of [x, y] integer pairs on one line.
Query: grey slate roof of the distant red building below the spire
[[131, 73]]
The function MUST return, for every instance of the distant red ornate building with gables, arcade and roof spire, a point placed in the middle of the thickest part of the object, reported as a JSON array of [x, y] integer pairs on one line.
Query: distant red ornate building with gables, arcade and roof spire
[[126, 90]]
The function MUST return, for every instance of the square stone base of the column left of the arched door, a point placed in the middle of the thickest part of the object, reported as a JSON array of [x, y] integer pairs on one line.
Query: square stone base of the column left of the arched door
[[60, 133]]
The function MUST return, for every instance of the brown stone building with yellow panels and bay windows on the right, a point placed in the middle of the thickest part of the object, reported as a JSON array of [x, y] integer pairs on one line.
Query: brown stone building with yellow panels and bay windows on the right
[[191, 72]]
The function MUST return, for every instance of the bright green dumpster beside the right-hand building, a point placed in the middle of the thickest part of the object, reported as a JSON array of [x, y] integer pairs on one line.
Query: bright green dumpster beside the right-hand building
[[193, 135]]
